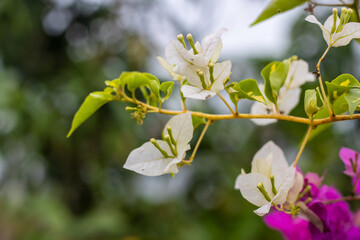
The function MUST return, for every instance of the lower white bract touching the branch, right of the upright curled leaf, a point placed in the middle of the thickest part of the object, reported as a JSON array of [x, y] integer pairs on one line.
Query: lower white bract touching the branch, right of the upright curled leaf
[[288, 100]]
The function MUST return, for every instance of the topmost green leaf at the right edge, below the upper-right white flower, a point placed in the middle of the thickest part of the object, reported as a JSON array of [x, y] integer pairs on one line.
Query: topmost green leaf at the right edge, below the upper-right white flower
[[340, 85]]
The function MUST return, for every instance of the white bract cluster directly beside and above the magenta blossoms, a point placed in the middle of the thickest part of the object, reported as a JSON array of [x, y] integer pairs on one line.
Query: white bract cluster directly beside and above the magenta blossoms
[[269, 162]]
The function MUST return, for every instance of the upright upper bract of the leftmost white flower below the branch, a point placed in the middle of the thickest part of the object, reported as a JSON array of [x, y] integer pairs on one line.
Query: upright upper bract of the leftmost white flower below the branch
[[182, 130]]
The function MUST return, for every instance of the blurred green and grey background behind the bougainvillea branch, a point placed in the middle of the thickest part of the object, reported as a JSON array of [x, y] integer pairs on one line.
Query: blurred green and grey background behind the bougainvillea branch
[[54, 52]]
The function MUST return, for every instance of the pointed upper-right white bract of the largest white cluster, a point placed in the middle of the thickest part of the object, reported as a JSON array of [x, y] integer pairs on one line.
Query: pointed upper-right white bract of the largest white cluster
[[212, 45]]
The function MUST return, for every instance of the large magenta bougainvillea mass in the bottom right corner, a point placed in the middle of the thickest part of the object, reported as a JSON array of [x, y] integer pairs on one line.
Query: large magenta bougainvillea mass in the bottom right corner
[[336, 217]]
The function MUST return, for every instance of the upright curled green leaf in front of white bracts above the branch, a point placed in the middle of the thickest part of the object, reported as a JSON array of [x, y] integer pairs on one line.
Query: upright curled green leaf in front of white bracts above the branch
[[274, 75]]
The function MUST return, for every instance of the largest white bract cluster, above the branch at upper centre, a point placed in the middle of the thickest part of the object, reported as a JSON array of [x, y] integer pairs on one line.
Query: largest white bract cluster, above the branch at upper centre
[[181, 62]]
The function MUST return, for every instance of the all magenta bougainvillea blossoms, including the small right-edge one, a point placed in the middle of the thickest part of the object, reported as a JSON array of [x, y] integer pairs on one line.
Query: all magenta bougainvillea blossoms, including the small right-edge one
[[331, 216]]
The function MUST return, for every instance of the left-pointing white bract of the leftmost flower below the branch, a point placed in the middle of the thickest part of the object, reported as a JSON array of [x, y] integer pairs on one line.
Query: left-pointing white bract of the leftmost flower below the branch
[[148, 160]]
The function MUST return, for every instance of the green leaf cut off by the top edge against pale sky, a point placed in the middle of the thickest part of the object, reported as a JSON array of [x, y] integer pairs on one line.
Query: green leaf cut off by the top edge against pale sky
[[276, 7]]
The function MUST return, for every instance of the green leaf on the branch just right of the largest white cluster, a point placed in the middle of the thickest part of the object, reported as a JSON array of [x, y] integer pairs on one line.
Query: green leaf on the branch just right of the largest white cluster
[[246, 89]]
